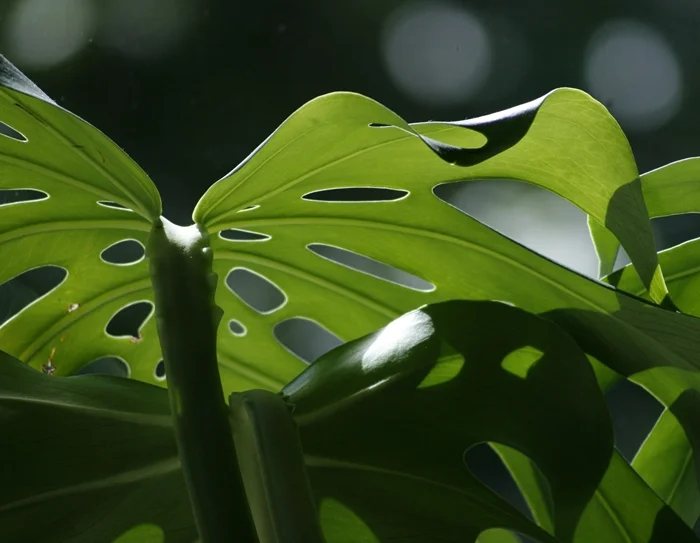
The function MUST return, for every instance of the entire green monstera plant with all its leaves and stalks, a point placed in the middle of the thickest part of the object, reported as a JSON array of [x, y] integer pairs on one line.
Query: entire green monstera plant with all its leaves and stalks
[[223, 434]]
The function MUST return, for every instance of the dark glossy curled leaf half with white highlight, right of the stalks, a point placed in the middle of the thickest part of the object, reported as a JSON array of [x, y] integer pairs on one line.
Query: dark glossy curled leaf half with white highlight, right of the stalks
[[384, 439]]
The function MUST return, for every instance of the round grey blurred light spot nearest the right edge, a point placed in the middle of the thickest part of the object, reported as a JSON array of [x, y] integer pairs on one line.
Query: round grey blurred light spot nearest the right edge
[[632, 69]]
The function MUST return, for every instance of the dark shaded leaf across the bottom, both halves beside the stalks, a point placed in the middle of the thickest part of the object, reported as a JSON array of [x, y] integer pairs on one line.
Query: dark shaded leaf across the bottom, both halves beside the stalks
[[384, 423]]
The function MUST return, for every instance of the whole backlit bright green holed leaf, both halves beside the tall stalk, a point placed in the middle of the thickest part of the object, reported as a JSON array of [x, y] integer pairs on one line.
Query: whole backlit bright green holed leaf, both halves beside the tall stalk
[[270, 220]]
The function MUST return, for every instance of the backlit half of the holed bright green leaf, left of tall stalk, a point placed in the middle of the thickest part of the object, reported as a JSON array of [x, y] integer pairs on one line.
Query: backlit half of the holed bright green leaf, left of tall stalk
[[75, 166]]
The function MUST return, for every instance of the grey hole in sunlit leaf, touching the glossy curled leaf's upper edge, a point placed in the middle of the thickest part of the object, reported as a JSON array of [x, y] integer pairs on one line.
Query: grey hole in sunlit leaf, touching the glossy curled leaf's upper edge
[[305, 338]]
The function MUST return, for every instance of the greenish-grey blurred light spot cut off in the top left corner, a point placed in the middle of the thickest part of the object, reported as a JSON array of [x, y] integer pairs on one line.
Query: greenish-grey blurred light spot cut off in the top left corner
[[42, 33]]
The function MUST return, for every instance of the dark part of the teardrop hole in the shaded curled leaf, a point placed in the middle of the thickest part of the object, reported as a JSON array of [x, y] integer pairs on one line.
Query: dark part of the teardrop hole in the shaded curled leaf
[[486, 465]]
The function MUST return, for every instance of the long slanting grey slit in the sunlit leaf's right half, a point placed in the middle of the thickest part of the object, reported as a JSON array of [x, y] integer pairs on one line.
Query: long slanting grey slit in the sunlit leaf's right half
[[370, 266]]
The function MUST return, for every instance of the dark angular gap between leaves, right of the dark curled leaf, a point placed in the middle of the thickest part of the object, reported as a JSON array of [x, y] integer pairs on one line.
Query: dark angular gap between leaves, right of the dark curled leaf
[[634, 413]]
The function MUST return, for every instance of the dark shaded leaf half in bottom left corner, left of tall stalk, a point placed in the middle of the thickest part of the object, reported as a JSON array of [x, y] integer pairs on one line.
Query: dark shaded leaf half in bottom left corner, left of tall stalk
[[88, 459]]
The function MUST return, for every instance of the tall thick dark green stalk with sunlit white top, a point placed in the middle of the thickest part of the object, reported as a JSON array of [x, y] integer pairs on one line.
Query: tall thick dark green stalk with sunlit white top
[[180, 263]]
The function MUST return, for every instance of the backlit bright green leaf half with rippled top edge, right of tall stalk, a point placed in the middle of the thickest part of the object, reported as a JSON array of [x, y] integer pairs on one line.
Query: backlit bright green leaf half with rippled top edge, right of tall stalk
[[565, 142]]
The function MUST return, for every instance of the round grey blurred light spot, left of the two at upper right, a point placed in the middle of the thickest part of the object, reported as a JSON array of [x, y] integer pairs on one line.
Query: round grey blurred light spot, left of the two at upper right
[[436, 53]]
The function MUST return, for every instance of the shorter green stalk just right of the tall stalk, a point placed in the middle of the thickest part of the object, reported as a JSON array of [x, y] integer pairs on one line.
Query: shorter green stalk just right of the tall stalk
[[273, 468]]
